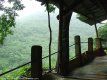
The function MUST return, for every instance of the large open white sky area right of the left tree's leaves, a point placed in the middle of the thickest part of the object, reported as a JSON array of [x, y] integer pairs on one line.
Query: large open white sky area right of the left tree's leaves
[[31, 6]]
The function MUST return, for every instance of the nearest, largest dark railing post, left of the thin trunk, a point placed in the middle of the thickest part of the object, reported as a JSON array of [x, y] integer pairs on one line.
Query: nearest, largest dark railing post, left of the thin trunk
[[36, 62]]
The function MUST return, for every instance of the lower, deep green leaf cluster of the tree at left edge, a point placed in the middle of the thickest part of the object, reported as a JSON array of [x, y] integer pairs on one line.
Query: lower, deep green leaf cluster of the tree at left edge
[[6, 22]]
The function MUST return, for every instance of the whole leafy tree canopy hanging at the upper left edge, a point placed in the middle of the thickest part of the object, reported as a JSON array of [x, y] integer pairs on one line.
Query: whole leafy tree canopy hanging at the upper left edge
[[7, 18]]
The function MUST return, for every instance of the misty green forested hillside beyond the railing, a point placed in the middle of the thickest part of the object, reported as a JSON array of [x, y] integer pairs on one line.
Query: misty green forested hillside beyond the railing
[[33, 30]]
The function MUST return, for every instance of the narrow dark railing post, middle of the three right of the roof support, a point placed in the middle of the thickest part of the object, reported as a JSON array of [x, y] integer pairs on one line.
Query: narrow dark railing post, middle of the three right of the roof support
[[90, 48]]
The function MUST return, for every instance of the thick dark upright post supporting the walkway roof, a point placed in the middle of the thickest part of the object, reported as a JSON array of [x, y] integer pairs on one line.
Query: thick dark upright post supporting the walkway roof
[[63, 44]]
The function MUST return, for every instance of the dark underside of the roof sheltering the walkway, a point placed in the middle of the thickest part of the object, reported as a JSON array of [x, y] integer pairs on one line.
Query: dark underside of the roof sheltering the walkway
[[93, 10]]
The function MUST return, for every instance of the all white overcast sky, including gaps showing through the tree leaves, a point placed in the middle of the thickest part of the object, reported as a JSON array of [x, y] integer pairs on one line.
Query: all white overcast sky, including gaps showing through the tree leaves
[[31, 7]]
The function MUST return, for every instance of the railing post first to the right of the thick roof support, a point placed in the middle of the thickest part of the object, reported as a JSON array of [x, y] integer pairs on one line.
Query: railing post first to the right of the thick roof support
[[78, 49]]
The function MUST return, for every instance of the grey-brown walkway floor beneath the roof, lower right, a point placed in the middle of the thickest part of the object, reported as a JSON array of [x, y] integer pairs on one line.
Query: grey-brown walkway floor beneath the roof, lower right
[[97, 70]]
